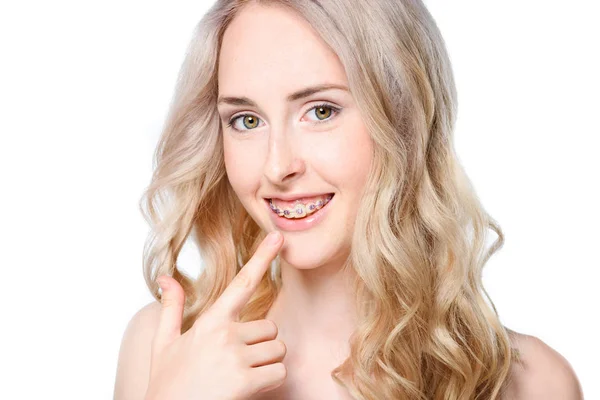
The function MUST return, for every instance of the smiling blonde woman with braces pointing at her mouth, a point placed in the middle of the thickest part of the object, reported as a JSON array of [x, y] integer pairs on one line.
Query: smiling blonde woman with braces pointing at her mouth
[[331, 123]]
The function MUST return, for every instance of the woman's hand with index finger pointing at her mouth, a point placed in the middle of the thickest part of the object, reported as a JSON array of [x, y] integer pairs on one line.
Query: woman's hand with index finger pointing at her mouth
[[217, 358]]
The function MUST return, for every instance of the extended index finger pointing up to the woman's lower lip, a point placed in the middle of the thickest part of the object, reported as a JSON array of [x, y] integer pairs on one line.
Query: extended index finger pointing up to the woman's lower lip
[[241, 288]]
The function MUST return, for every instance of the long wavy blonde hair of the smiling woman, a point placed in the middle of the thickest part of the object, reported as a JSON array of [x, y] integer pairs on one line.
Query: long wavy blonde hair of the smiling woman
[[425, 330]]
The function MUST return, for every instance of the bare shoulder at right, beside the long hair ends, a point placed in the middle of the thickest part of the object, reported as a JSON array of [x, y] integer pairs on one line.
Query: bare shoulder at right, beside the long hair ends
[[543, 373]]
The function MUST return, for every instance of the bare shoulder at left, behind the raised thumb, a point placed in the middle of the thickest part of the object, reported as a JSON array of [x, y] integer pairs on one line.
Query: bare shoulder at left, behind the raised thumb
[[133, 368]]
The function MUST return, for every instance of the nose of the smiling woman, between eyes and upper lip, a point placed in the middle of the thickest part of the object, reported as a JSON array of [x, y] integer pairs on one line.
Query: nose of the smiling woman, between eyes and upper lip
[[284, 163]]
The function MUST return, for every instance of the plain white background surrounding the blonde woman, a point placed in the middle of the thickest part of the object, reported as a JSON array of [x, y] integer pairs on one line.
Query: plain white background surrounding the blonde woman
[[84, 88]]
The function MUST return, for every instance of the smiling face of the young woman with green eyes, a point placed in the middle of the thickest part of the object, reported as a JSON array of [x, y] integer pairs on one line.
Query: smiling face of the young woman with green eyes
[[280, 148]]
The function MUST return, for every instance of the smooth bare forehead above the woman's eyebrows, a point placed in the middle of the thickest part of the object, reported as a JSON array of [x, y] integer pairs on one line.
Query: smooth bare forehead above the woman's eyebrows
[[272, 49]]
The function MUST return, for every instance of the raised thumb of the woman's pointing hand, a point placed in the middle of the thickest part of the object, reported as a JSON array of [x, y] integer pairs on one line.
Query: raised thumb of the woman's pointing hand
[[171, 313]]
